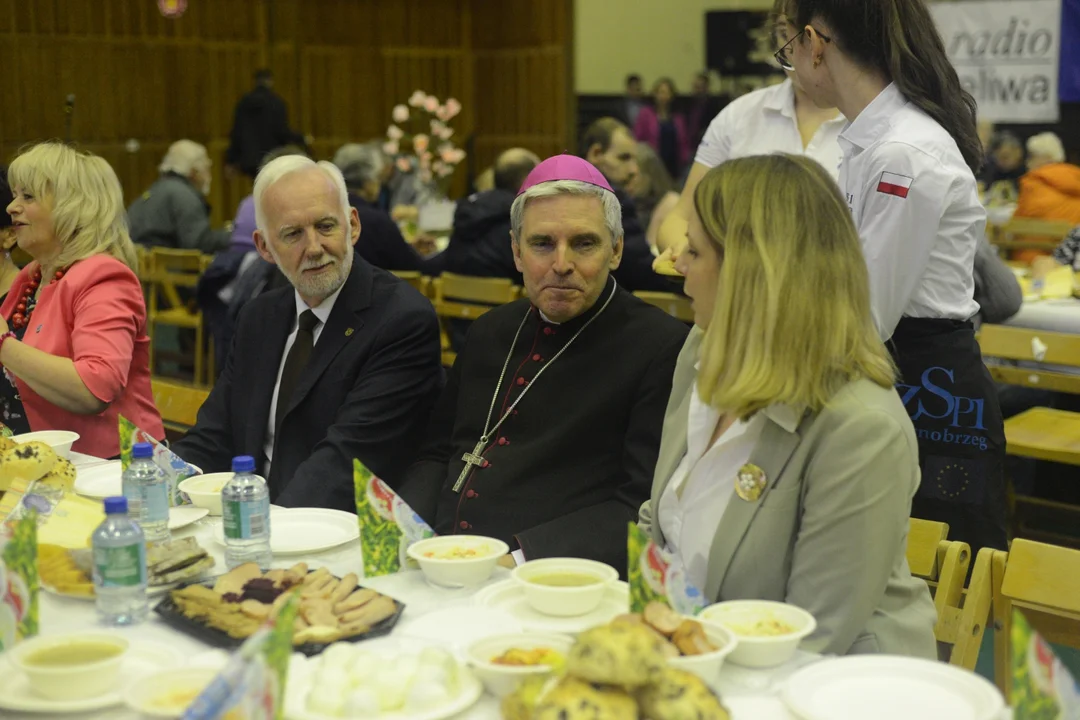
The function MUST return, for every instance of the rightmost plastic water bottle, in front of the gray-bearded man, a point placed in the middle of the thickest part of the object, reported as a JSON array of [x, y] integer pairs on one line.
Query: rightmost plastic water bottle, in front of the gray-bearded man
[[246, 511]]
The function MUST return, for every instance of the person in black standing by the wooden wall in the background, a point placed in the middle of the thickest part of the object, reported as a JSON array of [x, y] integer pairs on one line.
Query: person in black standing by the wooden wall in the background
[[260, 125]]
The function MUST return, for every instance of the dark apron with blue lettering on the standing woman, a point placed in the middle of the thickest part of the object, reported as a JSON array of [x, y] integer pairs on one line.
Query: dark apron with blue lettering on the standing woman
[[952, 401]]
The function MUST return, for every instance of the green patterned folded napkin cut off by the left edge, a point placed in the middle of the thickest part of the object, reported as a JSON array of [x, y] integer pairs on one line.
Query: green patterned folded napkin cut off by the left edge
[[19, 580]]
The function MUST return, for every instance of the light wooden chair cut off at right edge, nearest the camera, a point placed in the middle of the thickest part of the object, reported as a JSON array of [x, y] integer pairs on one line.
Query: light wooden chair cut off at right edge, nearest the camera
[[1044, 581]]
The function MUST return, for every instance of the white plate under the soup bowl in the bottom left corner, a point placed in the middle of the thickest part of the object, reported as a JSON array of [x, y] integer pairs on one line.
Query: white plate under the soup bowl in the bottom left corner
[[143, 658]]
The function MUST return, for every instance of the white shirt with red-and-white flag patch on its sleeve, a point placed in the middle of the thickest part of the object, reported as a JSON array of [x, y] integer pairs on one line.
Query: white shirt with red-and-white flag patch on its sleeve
[[916, 206]]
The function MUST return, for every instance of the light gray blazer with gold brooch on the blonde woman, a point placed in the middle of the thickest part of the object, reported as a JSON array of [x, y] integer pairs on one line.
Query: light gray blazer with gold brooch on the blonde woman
[[830, 533]]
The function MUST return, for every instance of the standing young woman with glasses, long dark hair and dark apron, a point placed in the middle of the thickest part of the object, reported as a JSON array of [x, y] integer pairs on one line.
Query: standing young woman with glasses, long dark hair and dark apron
[[911, 152]]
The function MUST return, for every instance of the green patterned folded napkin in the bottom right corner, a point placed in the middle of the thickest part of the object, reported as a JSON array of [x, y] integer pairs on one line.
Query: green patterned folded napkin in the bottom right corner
[[1043, 688]]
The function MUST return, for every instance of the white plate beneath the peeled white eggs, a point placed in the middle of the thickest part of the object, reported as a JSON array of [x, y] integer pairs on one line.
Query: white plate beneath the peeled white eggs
[[302, 669]]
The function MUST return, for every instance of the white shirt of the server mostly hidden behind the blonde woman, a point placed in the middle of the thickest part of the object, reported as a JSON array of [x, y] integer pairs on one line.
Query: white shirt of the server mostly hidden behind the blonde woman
[[764, 123]]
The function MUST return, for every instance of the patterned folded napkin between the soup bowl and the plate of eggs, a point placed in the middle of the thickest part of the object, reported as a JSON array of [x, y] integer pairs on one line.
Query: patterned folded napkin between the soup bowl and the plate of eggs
[[252, 686]]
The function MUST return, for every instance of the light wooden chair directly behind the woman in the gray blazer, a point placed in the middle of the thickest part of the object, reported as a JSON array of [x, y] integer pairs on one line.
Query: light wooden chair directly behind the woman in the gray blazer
[[962, 615]]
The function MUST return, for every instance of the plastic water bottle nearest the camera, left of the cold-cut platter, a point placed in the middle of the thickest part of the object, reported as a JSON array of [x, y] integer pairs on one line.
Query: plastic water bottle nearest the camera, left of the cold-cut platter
[[119, 551]]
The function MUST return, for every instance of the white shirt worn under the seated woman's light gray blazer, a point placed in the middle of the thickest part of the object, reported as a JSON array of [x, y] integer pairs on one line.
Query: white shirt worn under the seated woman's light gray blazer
[[704, 485]]
